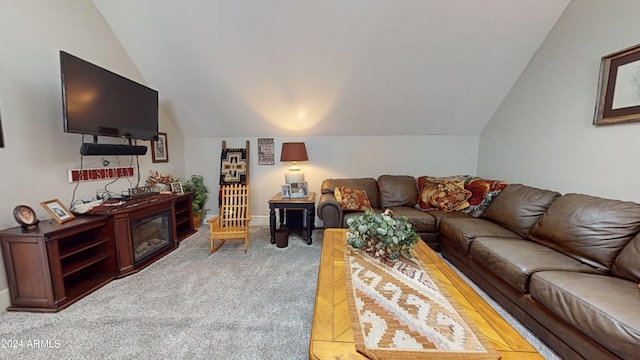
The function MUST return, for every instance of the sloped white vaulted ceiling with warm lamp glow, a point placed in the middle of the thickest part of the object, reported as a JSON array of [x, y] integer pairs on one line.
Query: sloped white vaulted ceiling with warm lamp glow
[[331, 67]]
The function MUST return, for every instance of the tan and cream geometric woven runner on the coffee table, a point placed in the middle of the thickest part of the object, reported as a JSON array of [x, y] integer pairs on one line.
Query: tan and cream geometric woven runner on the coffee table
[[398, 312]]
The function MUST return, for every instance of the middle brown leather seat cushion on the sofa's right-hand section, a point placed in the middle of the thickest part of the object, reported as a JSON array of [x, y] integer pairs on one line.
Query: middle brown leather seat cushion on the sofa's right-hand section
[[515, 260]]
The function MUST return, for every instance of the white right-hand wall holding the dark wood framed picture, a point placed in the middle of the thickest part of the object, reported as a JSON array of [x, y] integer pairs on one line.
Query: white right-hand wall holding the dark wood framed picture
[[542, 135]]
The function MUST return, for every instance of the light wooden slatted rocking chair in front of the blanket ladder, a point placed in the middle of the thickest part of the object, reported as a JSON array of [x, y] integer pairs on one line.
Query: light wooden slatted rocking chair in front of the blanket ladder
[[234, 218]]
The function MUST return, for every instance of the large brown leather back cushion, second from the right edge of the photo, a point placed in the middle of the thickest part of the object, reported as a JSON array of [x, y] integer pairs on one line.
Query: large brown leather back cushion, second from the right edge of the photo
[[588, 228]]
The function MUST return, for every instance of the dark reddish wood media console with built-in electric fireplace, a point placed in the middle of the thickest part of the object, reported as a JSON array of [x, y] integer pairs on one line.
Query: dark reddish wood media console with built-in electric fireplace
[[52, 266]]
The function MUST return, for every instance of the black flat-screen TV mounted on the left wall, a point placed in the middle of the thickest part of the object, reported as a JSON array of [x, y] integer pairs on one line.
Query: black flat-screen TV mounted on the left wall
[[99, 102]]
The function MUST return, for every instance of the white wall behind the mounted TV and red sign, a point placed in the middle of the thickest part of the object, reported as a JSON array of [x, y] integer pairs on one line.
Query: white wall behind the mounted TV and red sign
[[37, 153]]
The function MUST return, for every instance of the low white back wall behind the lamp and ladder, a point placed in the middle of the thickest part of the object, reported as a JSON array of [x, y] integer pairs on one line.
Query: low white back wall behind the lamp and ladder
[[334, 157]]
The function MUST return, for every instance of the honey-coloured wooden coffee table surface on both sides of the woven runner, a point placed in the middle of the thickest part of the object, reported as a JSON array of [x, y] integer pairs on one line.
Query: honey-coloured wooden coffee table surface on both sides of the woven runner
[[331, 332]]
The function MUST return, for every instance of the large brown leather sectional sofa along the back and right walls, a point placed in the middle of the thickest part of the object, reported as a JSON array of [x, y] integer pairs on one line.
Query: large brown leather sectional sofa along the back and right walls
[[567, 266]]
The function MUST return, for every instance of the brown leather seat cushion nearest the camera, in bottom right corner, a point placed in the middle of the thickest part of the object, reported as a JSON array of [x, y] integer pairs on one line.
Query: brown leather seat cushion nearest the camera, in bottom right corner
[[602, 307]]
